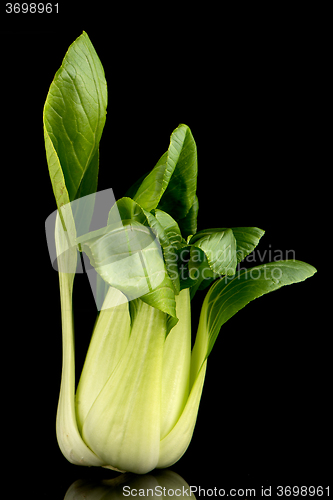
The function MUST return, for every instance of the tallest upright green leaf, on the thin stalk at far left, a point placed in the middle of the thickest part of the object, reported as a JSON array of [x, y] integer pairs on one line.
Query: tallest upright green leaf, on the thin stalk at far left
[[74, 117]]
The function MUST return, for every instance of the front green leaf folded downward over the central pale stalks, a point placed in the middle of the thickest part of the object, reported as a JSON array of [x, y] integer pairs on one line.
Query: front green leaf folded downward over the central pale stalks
[[129, 259]]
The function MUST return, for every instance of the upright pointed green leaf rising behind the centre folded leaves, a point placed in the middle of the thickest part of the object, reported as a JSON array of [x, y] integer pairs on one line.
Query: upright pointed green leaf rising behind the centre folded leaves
[[172, 184]]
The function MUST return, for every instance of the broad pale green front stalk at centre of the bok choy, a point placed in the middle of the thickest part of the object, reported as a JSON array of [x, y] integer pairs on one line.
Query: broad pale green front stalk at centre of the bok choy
[[123, 424]]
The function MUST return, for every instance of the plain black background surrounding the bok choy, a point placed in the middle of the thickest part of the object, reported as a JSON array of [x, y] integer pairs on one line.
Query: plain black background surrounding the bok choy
[[252, 90]]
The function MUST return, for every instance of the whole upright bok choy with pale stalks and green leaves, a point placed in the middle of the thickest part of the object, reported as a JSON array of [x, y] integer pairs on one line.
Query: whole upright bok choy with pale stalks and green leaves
[[138, 396]]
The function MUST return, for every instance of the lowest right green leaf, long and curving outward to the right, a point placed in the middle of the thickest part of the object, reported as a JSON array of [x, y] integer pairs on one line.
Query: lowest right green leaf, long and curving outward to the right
[[228, 295]]
